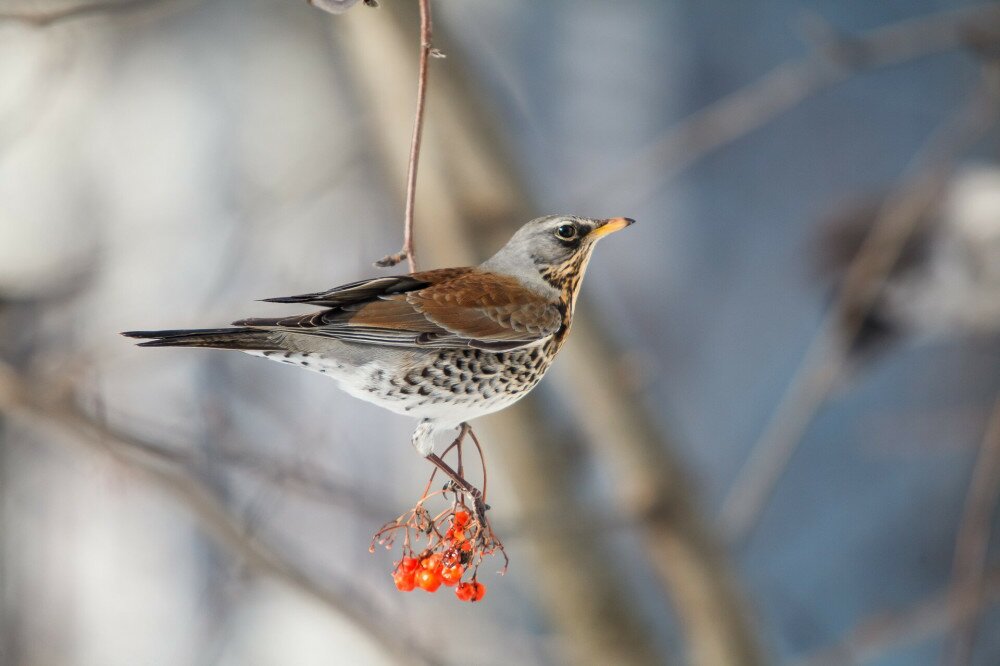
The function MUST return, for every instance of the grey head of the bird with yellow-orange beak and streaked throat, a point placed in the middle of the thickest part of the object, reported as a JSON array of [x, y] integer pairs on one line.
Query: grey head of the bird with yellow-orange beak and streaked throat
[[555, 248]]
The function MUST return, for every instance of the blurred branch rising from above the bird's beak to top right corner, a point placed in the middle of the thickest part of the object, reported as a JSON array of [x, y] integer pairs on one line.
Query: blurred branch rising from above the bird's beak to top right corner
[[753, 106]]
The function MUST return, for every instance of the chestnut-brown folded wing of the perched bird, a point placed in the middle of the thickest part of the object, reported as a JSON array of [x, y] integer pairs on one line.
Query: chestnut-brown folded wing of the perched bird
[[453, 307]]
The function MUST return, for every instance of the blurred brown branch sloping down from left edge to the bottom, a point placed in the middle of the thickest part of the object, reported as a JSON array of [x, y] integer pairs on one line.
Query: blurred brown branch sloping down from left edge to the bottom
[[157, 466]]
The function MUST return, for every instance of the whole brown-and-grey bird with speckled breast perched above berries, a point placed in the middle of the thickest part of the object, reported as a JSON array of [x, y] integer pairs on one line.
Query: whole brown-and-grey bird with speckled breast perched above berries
[[445, 345]]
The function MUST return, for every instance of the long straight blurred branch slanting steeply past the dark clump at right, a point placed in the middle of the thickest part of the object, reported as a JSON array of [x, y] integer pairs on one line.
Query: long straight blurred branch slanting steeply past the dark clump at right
[[926, 177]]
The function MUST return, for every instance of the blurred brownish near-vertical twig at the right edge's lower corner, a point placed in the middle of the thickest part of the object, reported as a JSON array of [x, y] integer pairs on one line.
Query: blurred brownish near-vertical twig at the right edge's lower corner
[[972, 544]]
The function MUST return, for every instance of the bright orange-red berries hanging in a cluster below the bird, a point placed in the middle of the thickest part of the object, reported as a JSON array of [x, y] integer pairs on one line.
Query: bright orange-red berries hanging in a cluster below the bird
[[445, 567]]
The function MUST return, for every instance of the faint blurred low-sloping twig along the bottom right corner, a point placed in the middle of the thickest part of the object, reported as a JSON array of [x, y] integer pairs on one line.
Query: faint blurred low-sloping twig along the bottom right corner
[[878, 634]]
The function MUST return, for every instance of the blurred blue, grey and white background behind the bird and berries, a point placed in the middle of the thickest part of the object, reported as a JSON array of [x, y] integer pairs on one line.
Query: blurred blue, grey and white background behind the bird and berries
[[773, 437]]
